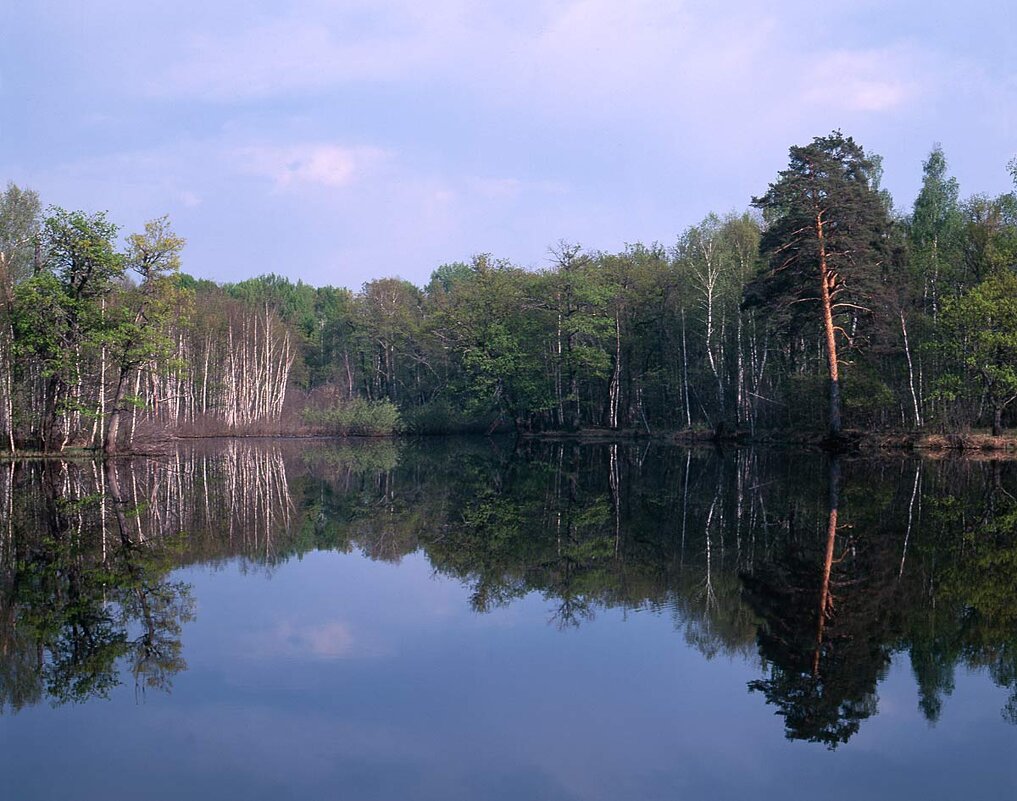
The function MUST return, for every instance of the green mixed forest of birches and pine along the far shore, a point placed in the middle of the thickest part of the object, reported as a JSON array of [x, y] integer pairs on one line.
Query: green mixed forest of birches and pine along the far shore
[[823, 310]]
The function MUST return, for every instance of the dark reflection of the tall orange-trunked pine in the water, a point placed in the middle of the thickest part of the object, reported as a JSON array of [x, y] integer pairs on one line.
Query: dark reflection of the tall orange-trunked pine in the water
[[822, 637]]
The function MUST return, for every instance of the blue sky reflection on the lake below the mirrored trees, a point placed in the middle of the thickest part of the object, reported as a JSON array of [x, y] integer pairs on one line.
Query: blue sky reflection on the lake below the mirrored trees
[[336, 677]]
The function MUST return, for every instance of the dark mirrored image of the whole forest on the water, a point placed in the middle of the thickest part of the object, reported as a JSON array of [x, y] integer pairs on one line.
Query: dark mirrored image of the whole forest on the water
[[817, 571]]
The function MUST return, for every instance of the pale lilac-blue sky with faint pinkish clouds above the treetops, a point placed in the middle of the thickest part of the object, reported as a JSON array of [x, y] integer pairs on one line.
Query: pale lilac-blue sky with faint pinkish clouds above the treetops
[[342, 141]]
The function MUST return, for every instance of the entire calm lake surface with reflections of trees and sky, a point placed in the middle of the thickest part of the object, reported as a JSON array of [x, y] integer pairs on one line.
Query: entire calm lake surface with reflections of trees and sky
[[469, 621]]
